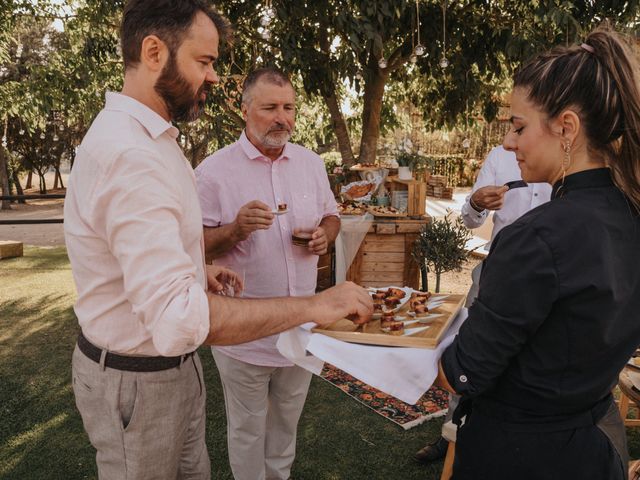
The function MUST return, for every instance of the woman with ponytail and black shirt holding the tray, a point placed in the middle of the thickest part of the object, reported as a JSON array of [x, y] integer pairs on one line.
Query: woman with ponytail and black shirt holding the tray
[[557, 314]]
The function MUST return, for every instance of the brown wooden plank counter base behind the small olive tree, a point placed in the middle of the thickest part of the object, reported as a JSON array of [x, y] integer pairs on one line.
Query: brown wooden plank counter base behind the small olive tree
[[384, 257]]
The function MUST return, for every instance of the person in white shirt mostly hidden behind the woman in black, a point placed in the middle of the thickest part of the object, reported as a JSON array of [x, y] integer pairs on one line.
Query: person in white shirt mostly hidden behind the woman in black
[[491, 193]]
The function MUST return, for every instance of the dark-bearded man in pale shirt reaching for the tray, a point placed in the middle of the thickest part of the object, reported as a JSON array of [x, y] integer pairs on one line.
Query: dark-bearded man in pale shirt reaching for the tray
[[133, 228]]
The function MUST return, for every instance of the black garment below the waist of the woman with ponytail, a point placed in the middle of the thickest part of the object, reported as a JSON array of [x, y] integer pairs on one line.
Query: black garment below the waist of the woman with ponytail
[[487, 450]]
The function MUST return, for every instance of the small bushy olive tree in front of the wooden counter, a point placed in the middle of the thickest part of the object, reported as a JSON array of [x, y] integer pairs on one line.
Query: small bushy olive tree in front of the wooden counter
[[440, 248]]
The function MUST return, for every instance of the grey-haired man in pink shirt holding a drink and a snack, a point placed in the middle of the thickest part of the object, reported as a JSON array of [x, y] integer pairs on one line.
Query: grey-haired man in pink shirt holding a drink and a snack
[[240, 188]]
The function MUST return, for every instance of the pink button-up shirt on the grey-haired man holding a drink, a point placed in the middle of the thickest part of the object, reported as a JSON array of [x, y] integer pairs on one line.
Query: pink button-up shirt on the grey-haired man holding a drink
[[272, 265]]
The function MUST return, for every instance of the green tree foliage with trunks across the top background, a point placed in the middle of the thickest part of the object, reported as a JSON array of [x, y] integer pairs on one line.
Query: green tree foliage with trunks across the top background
[[332, 47]]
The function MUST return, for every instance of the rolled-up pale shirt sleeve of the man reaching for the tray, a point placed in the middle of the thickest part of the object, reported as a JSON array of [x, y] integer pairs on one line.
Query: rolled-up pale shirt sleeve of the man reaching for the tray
[[142, 217]]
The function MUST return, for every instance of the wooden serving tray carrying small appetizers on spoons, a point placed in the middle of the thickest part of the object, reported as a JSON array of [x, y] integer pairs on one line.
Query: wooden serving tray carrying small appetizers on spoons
[[371, 333]]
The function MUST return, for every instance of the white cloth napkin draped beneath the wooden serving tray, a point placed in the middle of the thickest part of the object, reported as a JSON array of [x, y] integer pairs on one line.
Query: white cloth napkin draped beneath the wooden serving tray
[[405, 373]]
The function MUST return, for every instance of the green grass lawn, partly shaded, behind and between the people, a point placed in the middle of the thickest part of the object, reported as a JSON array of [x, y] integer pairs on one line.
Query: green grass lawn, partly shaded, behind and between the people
[[41, 434]]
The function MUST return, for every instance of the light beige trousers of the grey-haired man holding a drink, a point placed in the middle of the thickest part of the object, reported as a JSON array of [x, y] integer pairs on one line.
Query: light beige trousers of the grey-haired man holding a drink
[[263, 407]]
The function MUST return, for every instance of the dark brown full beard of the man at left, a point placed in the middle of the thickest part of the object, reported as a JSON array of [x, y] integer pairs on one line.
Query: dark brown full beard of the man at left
[[177, 94]]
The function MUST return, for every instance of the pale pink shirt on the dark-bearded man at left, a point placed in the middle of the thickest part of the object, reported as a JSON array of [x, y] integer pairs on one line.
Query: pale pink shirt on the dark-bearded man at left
[[133, 230]]
